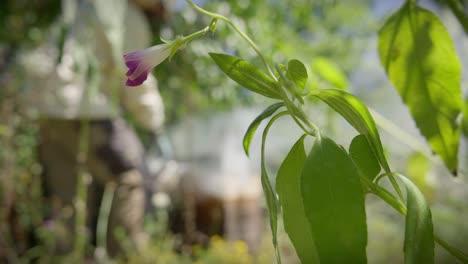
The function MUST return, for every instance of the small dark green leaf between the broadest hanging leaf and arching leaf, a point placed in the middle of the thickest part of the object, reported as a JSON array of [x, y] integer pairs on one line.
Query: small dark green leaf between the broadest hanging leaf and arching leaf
[[362, 155]]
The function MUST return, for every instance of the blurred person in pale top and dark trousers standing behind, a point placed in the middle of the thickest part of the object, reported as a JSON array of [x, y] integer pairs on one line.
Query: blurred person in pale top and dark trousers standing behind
[[76, 84]]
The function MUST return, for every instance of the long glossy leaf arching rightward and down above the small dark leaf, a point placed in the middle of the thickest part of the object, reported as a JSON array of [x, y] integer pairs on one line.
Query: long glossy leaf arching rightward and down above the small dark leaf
[[357, 114]]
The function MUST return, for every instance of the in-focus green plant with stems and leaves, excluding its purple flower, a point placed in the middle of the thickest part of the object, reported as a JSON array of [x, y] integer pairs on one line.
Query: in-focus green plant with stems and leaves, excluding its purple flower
[[321, 192]]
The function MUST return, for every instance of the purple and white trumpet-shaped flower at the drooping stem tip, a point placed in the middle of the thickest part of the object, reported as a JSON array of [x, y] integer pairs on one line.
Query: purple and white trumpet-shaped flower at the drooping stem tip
[[141, 62]]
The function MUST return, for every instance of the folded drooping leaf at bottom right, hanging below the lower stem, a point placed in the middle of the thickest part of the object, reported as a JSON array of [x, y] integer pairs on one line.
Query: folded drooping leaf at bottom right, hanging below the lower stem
[[419, 233]]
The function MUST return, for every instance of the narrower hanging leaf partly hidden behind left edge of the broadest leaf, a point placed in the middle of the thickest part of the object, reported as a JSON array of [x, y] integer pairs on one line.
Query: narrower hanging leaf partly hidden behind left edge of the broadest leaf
[[288, 187]]
